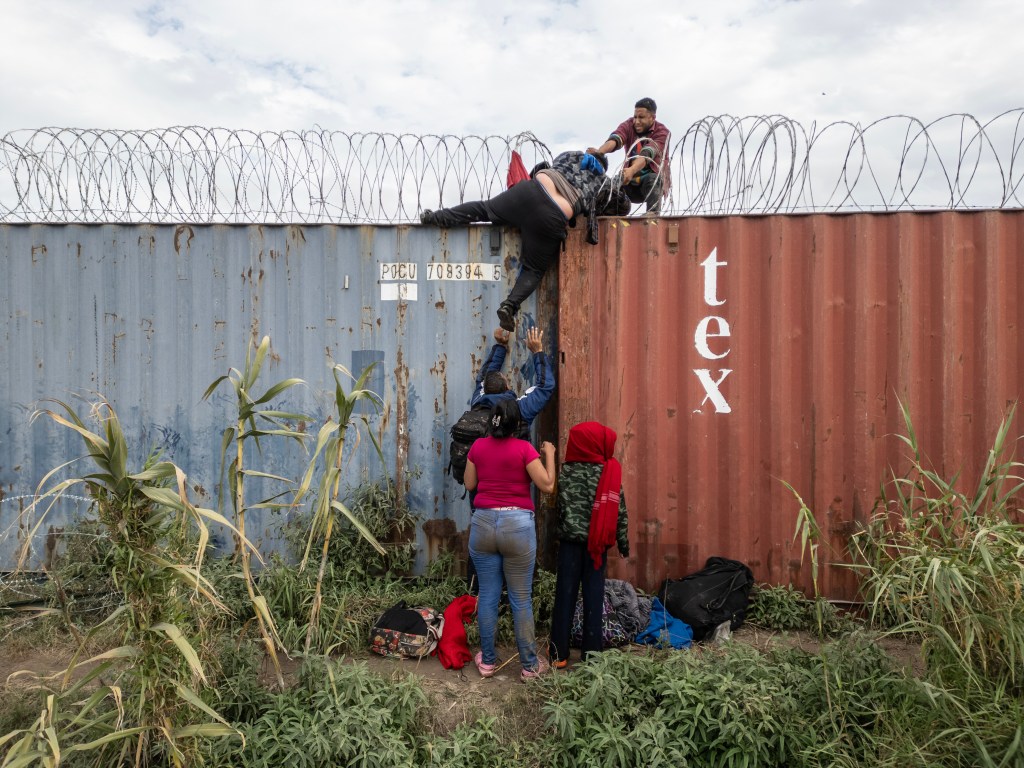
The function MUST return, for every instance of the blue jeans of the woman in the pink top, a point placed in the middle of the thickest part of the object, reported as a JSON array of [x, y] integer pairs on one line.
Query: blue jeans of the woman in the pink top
[[503, 545]]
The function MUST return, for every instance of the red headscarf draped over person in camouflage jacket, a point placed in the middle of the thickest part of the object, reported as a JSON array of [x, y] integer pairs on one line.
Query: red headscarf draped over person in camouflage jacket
[[594, 443]]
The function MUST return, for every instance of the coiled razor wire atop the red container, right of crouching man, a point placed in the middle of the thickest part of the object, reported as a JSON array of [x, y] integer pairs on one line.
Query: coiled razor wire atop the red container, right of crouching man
[[772, 164]]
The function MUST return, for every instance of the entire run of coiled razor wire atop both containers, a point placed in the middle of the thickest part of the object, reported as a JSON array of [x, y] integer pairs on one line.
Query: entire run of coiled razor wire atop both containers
[[720, 165]]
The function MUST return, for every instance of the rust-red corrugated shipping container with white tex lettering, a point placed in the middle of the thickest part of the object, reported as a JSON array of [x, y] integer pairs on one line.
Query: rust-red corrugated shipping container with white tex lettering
[[735, 354]]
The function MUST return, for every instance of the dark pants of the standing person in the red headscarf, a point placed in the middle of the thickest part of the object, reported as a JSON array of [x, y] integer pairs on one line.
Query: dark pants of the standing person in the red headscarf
[[576, 570]]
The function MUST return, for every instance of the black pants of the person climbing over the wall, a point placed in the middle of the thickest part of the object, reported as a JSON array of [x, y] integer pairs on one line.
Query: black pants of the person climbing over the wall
[[542, 226]]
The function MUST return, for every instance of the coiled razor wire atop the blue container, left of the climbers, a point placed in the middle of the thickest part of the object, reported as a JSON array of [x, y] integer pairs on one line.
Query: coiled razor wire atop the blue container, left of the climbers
[[217, 176]]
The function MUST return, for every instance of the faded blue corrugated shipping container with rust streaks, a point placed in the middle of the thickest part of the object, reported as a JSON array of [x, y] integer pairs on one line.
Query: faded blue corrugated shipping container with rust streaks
[[150, 316]]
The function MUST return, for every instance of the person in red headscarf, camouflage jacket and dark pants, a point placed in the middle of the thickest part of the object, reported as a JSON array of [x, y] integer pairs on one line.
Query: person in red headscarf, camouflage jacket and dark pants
[[591, 518]]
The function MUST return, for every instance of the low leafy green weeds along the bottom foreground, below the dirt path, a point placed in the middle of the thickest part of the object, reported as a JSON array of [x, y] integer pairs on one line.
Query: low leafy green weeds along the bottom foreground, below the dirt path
[[848, 705]]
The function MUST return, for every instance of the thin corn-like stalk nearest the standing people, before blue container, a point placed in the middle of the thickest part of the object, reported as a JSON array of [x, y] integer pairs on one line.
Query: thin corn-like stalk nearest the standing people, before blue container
[[331, 445]]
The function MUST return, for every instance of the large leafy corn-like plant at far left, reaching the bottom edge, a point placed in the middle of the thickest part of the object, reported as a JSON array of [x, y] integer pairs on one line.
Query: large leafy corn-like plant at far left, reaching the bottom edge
[[158, 539]]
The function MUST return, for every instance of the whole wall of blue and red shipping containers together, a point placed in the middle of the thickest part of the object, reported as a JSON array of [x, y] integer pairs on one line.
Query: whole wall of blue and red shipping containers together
[[822, 322]]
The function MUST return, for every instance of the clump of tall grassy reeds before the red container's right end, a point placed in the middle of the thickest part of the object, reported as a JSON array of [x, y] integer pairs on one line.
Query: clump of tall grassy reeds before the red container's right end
[[949, 565]]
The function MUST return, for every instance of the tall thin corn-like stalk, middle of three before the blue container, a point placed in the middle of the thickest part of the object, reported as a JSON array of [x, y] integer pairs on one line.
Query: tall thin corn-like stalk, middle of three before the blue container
[[253, 421]]
